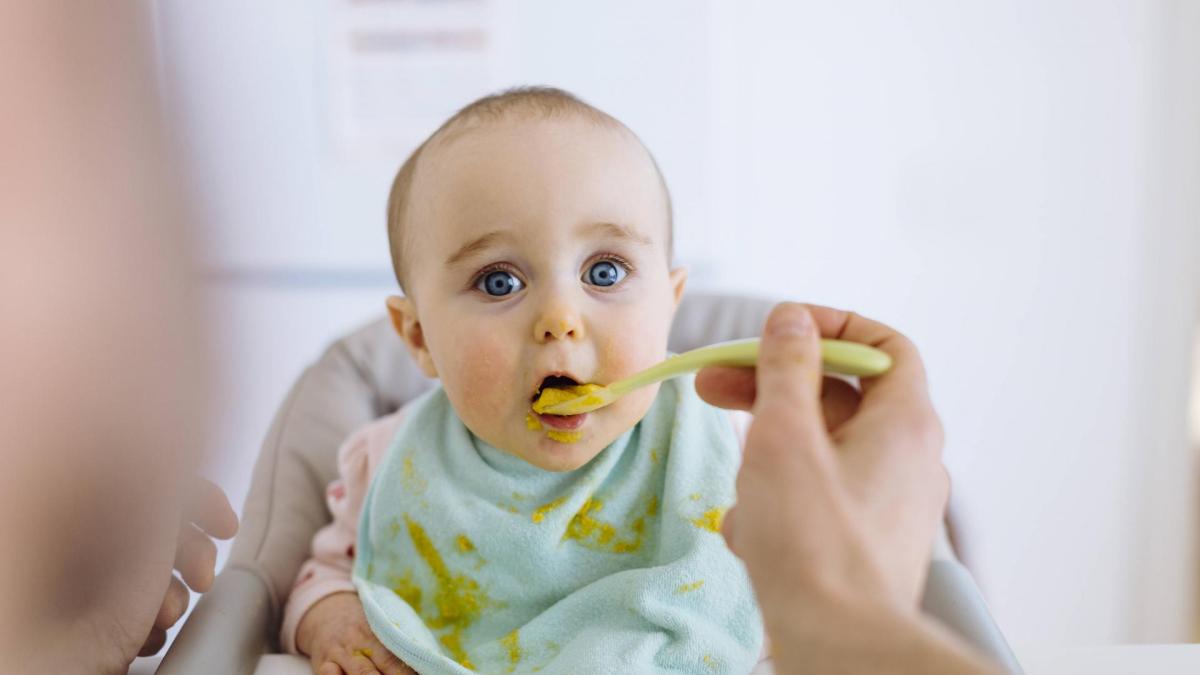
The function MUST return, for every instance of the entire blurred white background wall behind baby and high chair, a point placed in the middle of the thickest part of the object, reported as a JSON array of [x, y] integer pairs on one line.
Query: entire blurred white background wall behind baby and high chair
[[1017, 186]]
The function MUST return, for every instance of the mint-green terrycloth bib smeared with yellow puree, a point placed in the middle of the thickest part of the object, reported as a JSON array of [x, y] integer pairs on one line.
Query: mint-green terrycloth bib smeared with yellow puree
[[472, 559]]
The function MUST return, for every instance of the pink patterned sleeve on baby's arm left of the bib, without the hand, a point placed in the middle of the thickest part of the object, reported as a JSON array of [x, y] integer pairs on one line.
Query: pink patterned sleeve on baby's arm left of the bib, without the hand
[[333, 548]]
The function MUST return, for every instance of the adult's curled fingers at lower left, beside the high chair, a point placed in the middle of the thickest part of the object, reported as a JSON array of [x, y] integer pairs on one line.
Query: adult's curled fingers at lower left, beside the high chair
[[208, 515]]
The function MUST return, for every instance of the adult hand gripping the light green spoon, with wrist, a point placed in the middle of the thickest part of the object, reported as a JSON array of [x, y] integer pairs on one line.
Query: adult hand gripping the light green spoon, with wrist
[[839, 497]]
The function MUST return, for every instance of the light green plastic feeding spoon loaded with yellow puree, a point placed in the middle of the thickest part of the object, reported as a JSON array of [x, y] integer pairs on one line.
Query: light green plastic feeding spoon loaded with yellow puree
[[837, 356]]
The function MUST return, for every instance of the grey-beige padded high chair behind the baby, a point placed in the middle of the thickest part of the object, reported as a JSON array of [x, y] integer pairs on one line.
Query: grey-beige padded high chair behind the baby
[[367, 375]]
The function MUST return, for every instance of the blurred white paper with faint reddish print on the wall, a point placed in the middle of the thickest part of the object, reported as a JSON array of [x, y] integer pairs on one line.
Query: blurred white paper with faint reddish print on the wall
[[400, 68]]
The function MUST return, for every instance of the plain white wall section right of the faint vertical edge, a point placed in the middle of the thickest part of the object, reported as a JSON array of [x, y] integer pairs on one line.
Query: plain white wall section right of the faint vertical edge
[[987, 176]]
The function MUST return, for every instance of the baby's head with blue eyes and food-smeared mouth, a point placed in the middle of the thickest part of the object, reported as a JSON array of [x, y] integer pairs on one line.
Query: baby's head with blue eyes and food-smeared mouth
[[532, 237]]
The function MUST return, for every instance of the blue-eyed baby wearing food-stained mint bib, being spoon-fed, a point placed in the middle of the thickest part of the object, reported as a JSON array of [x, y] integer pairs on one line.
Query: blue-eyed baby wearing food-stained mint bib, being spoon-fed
[[532, 238]]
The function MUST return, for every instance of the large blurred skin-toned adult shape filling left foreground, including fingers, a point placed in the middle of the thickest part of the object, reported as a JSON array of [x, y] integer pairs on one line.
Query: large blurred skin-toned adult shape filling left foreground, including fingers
[[101, 395]]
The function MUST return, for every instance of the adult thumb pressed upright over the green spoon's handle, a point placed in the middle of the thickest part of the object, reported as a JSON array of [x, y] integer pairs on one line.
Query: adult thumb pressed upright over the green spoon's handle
[[789, 372]]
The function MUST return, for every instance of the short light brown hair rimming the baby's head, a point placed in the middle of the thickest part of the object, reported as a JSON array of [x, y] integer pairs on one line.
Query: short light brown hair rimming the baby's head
[[545, 103]]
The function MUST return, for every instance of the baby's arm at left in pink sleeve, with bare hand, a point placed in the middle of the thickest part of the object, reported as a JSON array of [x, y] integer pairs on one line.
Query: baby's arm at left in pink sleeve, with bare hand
[[323, 618]]
